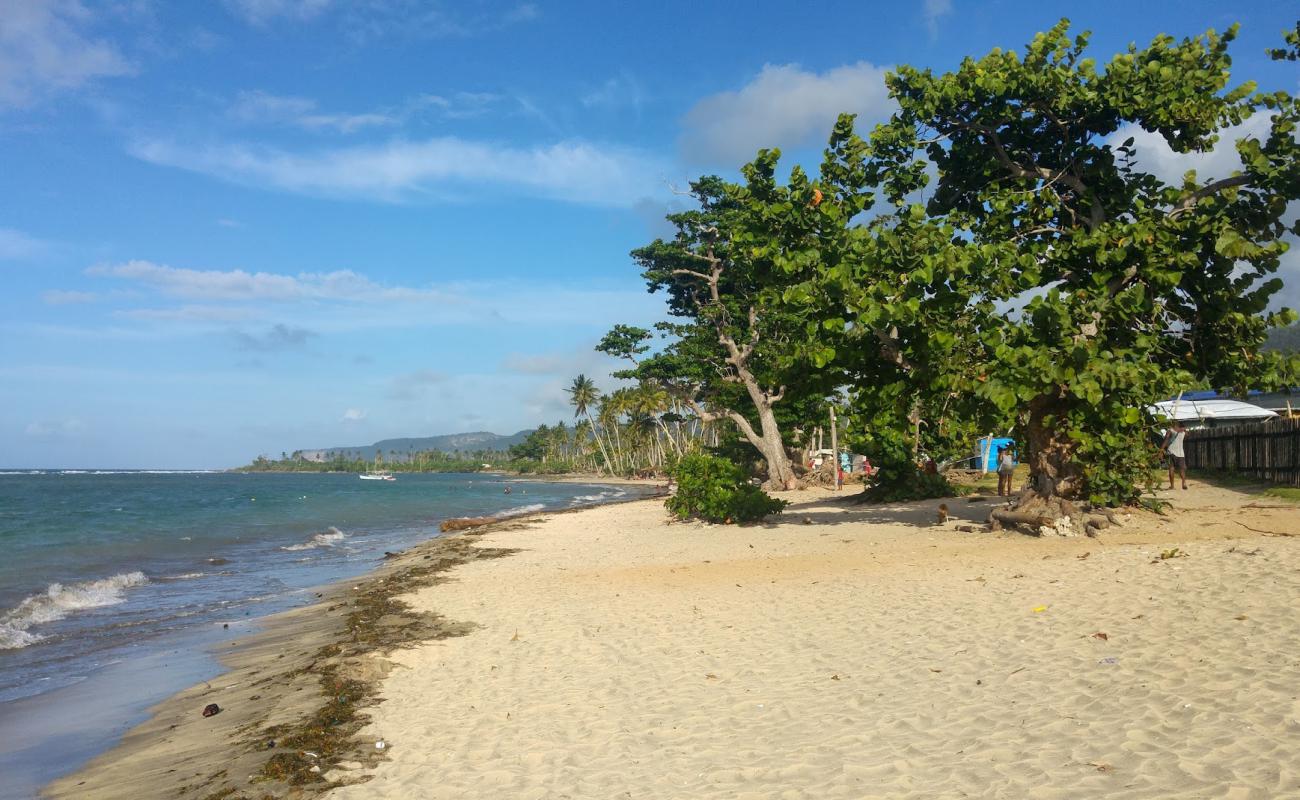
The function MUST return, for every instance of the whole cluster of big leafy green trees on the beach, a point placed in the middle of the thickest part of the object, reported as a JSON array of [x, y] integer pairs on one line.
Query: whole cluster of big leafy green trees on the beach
[[999, 256]]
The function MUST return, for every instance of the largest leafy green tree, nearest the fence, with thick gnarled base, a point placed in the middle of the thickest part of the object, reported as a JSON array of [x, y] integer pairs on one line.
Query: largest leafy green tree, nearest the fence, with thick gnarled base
[[1116, 288]]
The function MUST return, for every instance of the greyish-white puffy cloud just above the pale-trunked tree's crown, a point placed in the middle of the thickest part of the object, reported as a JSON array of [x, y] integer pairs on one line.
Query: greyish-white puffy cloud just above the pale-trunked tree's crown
[[785, 106]]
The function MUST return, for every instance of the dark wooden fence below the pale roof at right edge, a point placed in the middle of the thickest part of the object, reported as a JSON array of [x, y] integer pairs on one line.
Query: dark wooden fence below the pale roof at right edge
[[1267, 451]]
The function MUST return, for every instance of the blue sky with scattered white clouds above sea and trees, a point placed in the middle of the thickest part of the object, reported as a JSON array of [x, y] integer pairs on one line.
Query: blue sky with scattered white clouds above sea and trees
[[233, 228]]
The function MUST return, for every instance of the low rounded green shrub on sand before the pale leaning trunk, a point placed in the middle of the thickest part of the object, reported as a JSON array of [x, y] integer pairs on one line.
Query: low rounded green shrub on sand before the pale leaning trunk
[[716, 490]]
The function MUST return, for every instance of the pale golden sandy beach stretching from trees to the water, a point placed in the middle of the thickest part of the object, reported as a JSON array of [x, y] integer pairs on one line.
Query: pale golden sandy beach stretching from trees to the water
[[843, 651]]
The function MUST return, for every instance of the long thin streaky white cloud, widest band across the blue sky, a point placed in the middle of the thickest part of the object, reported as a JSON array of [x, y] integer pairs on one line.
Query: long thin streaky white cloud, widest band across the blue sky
[[443, 168]]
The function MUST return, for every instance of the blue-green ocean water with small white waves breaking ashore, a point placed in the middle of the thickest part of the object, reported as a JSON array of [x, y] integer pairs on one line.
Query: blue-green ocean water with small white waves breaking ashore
[[110, 574]]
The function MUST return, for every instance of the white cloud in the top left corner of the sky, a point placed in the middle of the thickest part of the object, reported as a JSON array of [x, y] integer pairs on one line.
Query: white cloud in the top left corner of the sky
[[46, 46]]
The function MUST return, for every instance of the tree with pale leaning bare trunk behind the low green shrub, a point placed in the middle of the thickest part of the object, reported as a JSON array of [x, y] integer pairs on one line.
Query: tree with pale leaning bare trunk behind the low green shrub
[[733, 344]]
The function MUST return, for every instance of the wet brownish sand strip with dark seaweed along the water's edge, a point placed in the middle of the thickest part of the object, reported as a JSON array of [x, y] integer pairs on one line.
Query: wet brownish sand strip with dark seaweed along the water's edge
[[287, 659]]
